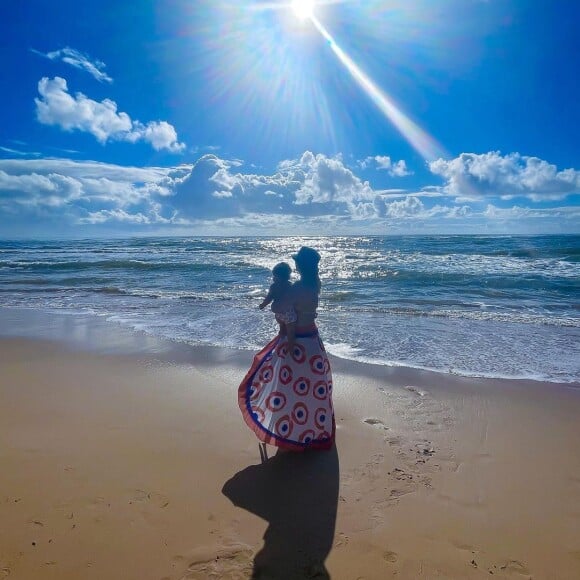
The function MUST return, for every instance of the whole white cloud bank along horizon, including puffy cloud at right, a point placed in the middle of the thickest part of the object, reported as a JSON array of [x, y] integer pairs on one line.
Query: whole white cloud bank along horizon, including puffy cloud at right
[[314, 192]]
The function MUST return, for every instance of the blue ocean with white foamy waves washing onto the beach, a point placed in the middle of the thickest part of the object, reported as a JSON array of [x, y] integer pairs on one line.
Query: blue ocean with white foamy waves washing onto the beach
[[486, 306]]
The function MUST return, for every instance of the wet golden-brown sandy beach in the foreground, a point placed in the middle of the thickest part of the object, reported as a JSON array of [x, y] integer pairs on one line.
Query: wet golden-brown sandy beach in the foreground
[[138, 467]]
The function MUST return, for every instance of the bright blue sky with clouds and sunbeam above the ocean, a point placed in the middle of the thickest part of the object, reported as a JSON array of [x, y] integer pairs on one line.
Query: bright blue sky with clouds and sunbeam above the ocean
[[241, 117]]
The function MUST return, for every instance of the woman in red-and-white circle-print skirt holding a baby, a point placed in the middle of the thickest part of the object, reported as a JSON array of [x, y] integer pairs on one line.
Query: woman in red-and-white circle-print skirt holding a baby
[[286, 397]]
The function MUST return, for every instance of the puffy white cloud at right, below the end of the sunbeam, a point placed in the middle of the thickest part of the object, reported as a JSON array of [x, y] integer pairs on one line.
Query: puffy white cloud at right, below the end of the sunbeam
[[472, 176]]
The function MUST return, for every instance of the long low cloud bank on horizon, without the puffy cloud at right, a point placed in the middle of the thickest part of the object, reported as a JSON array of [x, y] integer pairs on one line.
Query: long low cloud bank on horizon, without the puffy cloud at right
[[313, 193]]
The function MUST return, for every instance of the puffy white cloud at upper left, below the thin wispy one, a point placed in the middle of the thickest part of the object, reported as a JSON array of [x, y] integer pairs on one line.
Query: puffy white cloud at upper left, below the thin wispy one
[[56, 106]]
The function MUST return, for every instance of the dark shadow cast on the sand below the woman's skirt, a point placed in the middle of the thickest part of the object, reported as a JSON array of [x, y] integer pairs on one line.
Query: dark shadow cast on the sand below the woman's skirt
[[297, 493]]
